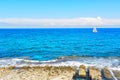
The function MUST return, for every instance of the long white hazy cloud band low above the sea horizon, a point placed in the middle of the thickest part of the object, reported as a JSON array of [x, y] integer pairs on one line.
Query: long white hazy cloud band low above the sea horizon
[[70, 22]]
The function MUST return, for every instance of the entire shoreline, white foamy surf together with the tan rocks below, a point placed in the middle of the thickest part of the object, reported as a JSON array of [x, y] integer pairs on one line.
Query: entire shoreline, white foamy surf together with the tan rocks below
[[84, 68]]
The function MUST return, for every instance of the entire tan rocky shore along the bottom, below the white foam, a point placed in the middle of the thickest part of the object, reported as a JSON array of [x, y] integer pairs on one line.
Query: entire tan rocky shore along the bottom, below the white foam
[[57, 73]]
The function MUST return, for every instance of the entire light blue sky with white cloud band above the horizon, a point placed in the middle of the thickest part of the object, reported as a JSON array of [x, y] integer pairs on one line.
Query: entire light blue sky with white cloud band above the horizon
[[59, 13]]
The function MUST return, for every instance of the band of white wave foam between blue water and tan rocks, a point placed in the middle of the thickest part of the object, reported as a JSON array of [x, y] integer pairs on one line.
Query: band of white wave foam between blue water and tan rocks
[[113, 63]]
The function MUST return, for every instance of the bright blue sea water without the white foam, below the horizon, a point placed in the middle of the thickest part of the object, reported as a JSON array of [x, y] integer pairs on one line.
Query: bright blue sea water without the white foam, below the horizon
[[51, 44]]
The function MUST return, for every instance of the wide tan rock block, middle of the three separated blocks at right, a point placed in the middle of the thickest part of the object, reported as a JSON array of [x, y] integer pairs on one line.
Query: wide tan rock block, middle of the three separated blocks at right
[[95, 73]]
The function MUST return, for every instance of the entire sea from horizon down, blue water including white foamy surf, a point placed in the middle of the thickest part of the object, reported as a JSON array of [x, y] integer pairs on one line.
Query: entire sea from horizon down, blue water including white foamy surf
[[60, 47]]
